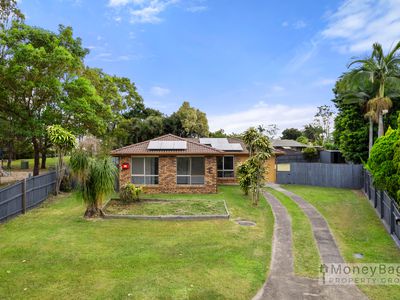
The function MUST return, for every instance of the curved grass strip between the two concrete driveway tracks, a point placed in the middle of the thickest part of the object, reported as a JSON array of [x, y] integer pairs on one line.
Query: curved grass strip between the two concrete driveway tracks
[[306, 256]]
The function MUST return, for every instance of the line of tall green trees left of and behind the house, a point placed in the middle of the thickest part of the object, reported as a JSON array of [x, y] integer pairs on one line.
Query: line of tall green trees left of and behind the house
[[44, 81]]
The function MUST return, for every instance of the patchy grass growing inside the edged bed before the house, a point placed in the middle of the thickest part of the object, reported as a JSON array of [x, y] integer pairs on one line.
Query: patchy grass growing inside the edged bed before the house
[[168, 207]]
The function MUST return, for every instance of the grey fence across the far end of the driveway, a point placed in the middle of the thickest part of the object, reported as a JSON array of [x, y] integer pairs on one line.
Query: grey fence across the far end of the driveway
[[319, 174]]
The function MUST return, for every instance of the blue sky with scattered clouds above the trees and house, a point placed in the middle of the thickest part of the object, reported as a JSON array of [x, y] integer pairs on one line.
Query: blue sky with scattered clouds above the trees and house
[[242, 62]]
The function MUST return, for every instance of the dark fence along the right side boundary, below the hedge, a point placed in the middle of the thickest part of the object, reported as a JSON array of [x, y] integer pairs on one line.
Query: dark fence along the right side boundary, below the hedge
[[385, 206]]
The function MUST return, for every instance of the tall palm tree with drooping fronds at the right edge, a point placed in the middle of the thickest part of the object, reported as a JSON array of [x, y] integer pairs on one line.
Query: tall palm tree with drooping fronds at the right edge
[[380, 69]]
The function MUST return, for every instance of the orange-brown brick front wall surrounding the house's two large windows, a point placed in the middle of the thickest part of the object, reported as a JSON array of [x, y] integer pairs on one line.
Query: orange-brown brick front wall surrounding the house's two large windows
[[167, 177]]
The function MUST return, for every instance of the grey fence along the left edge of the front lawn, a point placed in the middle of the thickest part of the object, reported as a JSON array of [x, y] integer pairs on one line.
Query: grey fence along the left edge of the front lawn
[[23, 195]]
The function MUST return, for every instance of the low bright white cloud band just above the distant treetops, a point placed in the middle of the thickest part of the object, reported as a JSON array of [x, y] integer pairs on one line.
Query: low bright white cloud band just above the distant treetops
[[283, 115]]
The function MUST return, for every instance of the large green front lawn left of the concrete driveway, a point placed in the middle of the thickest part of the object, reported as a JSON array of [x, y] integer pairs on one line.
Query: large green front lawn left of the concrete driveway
[[54, 253]]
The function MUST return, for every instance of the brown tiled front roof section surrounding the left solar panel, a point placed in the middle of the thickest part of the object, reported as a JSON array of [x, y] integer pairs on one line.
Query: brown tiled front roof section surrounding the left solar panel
[[193, 147]]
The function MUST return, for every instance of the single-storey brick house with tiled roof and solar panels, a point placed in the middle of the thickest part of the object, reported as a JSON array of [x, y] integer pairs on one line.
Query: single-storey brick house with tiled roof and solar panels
[[171, 164]]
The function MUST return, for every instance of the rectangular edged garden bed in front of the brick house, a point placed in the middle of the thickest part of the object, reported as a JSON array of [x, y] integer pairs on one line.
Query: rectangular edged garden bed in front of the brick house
[[162, 209]]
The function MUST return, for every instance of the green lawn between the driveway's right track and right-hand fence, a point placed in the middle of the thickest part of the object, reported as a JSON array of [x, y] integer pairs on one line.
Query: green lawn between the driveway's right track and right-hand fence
[[357, 229]]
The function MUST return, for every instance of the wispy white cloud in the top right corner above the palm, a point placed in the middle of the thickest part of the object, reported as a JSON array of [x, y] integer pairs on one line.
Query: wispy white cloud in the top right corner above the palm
[[357, 24]]
